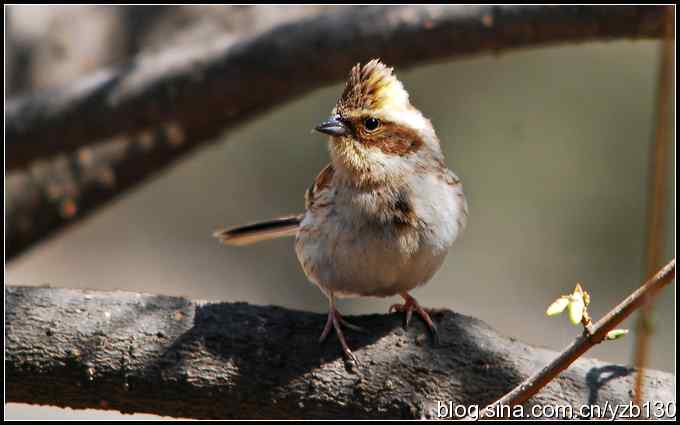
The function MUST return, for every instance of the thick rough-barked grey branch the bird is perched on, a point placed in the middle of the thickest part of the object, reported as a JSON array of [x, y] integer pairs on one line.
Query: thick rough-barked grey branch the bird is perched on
[[176, 357]]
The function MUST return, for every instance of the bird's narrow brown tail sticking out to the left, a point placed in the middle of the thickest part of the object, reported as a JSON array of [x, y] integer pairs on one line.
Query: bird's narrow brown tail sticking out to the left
[[256, 232]]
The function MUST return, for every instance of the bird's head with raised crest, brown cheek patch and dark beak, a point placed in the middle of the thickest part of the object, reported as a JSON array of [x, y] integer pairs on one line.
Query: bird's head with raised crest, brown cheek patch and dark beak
[[377, 136]]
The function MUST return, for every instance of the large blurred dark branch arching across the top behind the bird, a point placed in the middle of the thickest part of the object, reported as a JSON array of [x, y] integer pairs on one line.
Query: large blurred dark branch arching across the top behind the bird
[[216, 85]]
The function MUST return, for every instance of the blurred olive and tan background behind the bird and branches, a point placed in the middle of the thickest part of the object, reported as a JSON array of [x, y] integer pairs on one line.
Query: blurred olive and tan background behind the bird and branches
[[552, 144]]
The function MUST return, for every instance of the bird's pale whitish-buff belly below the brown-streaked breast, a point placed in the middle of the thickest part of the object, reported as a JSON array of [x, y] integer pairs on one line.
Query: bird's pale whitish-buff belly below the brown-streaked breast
[[342, 252]]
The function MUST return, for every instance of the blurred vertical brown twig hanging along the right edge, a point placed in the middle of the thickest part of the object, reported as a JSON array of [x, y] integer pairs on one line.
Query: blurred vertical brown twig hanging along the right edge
[[655, 236]]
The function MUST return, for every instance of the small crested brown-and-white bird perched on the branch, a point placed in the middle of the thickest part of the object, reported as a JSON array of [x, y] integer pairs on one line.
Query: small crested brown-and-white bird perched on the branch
[[381, 216]]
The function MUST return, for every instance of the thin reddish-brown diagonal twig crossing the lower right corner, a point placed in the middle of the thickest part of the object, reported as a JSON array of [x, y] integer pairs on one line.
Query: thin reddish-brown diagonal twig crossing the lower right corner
[[583, 343]]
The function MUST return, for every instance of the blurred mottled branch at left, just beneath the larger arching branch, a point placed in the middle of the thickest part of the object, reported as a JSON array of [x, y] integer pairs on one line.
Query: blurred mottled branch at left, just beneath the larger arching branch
[[55, 193]]
